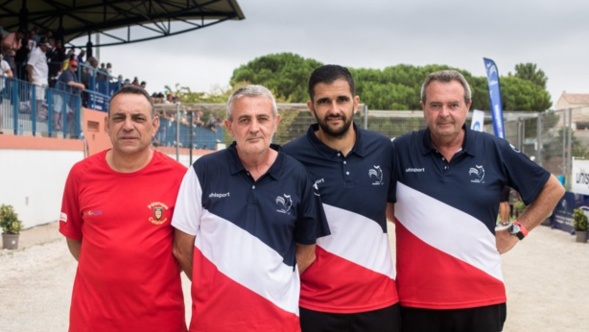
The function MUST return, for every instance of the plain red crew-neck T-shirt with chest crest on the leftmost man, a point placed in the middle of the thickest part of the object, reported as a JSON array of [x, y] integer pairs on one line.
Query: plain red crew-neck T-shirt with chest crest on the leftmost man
[[127, 278]]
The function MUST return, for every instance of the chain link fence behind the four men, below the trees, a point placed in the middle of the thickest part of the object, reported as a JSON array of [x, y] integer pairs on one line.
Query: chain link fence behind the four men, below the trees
[[552, 139]]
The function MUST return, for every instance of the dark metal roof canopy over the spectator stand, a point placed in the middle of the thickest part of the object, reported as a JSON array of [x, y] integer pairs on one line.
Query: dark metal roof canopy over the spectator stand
[[116, 22]]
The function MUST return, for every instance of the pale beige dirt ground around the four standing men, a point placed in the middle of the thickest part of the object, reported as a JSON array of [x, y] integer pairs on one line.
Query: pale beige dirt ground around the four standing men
[[547, 278]]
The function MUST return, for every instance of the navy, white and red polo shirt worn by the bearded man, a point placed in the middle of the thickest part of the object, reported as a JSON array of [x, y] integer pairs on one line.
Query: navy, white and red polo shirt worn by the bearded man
[[354, 270]]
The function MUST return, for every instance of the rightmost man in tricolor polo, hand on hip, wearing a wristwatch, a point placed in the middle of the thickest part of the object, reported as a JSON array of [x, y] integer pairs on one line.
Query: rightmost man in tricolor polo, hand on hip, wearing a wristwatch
[[449, 183]]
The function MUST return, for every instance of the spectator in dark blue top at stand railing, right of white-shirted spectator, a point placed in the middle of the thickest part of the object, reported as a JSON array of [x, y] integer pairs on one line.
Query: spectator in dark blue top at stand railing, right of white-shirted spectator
[[67, 87]]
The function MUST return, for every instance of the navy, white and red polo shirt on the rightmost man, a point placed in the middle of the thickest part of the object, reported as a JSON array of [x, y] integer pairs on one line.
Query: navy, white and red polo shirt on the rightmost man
[[446, 214]]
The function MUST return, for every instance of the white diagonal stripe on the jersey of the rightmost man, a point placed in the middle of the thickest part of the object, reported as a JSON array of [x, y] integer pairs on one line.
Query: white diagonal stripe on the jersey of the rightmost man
[[448, 229]]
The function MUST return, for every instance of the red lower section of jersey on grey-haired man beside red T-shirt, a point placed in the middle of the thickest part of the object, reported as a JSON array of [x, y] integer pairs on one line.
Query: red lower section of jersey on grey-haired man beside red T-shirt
[[221, 304]]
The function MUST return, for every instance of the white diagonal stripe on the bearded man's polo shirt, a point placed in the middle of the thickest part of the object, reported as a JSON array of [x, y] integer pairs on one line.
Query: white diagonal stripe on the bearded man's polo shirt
[[357, 239]]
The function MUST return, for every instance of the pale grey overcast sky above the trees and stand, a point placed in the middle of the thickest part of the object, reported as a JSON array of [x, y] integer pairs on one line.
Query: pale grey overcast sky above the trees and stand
[[373, 34]]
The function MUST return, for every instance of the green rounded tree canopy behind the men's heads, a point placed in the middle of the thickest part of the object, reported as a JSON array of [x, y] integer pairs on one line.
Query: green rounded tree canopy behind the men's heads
[[392, 88]]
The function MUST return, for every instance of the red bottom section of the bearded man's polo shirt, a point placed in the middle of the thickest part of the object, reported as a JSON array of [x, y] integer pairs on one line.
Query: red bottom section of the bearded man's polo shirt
[[351, 287]]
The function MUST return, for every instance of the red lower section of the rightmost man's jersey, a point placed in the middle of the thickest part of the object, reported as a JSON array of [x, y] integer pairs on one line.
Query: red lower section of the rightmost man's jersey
[[429, 278]]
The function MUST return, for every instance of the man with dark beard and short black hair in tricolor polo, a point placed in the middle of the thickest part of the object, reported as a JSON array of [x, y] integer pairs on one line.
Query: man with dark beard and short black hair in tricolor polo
[[351, 286]]
